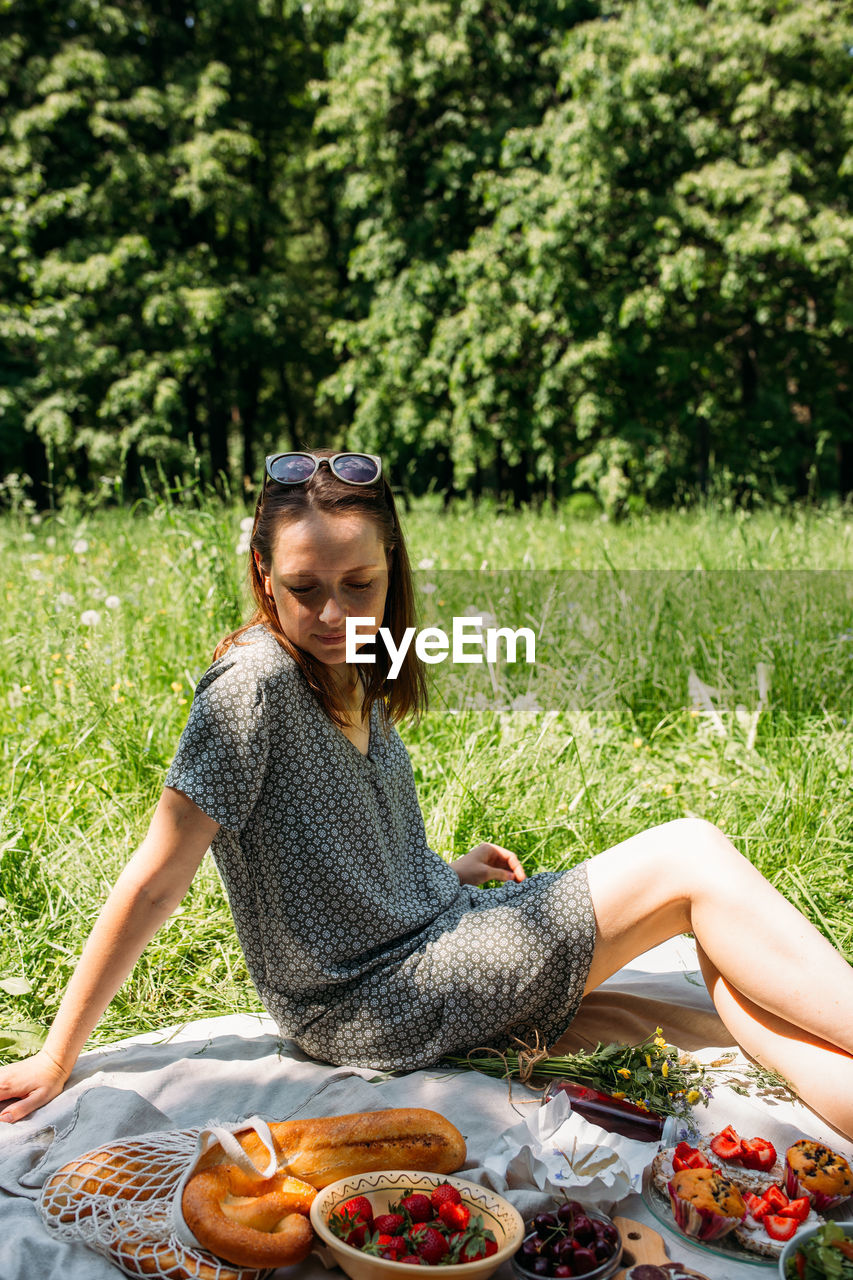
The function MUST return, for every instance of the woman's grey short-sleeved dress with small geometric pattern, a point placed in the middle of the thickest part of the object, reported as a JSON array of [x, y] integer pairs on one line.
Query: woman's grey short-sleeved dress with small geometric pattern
[[361, 940]]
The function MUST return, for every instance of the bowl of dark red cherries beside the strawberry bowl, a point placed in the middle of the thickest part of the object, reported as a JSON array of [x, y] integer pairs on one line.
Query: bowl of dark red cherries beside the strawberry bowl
[[569, 1241]]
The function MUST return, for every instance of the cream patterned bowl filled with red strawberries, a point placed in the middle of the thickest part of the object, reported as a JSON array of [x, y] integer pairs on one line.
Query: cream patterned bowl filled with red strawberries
[[380, 1226]]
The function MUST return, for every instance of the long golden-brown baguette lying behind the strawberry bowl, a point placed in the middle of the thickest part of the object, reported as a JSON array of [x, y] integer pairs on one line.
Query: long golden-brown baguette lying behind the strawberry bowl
[[321, 1151]]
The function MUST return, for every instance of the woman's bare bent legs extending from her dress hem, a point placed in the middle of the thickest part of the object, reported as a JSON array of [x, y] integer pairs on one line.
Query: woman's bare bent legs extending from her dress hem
[[783, 991]]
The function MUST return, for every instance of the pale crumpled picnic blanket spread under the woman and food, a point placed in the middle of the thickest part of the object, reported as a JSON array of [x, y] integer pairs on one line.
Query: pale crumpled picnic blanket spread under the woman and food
[[230, 1068]]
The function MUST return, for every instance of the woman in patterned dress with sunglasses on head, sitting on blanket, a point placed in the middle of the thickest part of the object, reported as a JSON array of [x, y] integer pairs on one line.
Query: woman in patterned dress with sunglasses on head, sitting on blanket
[[366, 947]]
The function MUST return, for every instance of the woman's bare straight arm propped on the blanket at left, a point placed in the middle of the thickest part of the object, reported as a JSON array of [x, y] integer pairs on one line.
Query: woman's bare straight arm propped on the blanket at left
[[144, 897]]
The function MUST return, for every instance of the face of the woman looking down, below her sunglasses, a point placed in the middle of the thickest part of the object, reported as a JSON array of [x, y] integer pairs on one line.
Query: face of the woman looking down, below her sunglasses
[[326, 569]]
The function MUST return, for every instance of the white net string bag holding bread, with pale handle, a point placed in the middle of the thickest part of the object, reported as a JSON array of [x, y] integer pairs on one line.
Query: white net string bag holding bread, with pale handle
[[125, 1201]]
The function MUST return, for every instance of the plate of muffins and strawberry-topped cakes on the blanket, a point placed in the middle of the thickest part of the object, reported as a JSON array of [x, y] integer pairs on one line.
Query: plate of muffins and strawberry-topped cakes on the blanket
[[777, 1197]]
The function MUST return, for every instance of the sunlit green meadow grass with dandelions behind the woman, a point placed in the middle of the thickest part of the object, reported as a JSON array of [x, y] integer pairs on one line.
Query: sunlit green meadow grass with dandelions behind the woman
[[599, 740]]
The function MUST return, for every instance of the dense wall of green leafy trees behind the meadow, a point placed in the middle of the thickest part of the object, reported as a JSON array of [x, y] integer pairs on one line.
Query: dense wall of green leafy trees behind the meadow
[[518, 248]]
